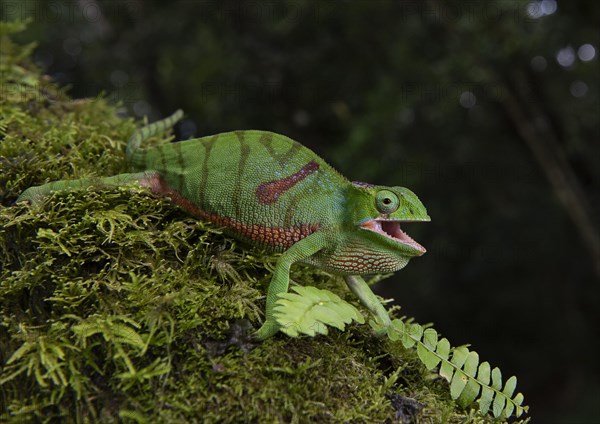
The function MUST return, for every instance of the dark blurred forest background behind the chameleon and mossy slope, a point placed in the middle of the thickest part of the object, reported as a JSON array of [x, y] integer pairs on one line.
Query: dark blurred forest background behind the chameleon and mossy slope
[[489, 111]]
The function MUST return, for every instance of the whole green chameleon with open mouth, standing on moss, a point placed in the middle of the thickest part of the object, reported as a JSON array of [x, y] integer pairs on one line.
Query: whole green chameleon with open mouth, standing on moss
[[268, 190]]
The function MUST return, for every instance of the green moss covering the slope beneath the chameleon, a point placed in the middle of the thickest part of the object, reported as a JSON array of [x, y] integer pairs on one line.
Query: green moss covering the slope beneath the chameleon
[[117, 306]]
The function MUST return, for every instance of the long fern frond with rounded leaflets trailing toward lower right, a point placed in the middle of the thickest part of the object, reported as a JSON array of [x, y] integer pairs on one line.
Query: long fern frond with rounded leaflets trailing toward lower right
[[469, 379]]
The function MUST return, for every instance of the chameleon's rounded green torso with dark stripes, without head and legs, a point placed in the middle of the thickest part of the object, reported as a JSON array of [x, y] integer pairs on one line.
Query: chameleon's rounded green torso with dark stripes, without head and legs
[[257, 183]]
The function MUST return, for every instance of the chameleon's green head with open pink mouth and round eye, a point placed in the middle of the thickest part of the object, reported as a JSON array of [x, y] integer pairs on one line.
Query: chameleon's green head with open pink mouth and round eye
[[381, 211]]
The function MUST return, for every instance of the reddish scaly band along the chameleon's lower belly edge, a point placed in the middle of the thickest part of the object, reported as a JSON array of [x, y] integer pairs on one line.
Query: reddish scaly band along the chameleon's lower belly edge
[[274, 237]]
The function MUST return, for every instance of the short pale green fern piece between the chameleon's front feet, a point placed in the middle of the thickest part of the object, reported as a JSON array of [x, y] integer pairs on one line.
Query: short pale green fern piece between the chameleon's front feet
[[310, 310]]
